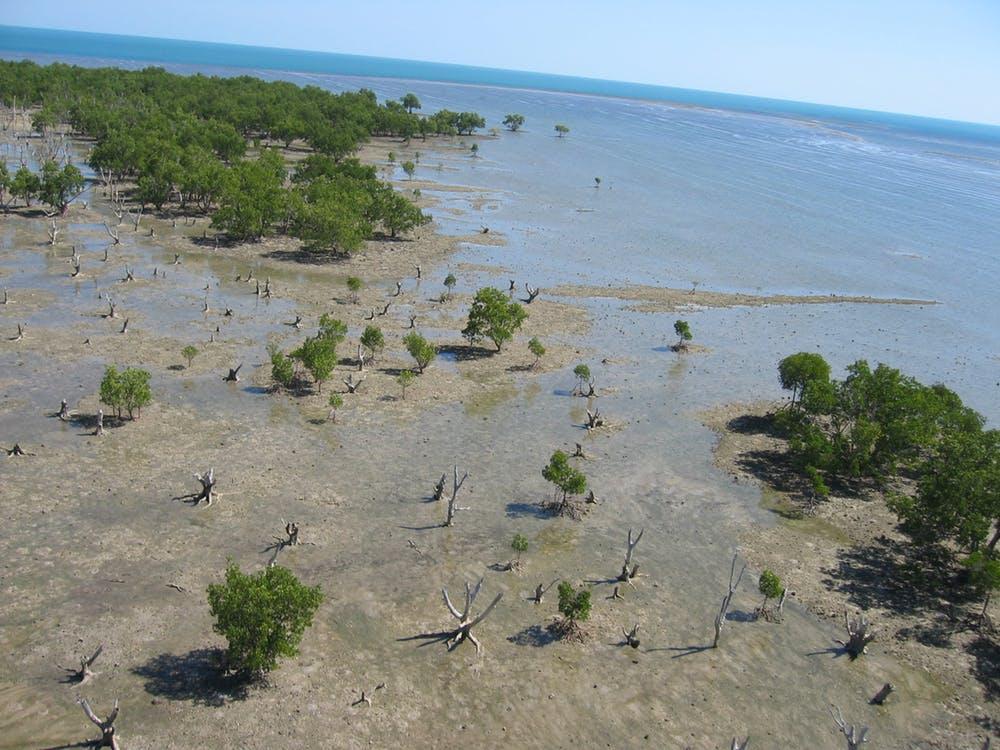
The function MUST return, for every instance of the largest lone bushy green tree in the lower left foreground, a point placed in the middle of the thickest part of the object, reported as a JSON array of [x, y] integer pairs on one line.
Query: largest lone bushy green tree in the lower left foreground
[[262, 615]]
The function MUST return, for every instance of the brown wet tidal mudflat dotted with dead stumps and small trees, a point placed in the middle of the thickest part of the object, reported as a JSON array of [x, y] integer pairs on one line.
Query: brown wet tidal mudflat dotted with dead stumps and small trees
[[95, 537]]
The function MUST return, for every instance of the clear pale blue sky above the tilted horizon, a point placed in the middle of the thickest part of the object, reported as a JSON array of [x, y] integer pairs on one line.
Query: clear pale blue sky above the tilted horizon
[[937, 58]]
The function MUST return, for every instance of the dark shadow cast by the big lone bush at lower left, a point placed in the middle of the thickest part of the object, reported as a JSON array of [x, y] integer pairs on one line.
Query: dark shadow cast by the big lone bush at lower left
[[197, 676]]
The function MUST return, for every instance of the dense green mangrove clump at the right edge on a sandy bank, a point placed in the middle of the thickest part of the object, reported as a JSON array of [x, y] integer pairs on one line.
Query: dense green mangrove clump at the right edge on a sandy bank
[[878, 425]]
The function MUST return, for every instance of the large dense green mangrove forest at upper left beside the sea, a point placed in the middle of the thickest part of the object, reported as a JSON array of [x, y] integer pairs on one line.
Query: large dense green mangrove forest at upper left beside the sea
[[209, 144]]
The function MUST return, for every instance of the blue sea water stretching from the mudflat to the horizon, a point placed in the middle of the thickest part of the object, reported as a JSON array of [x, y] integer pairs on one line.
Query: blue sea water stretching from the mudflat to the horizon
[[738, 193]]
